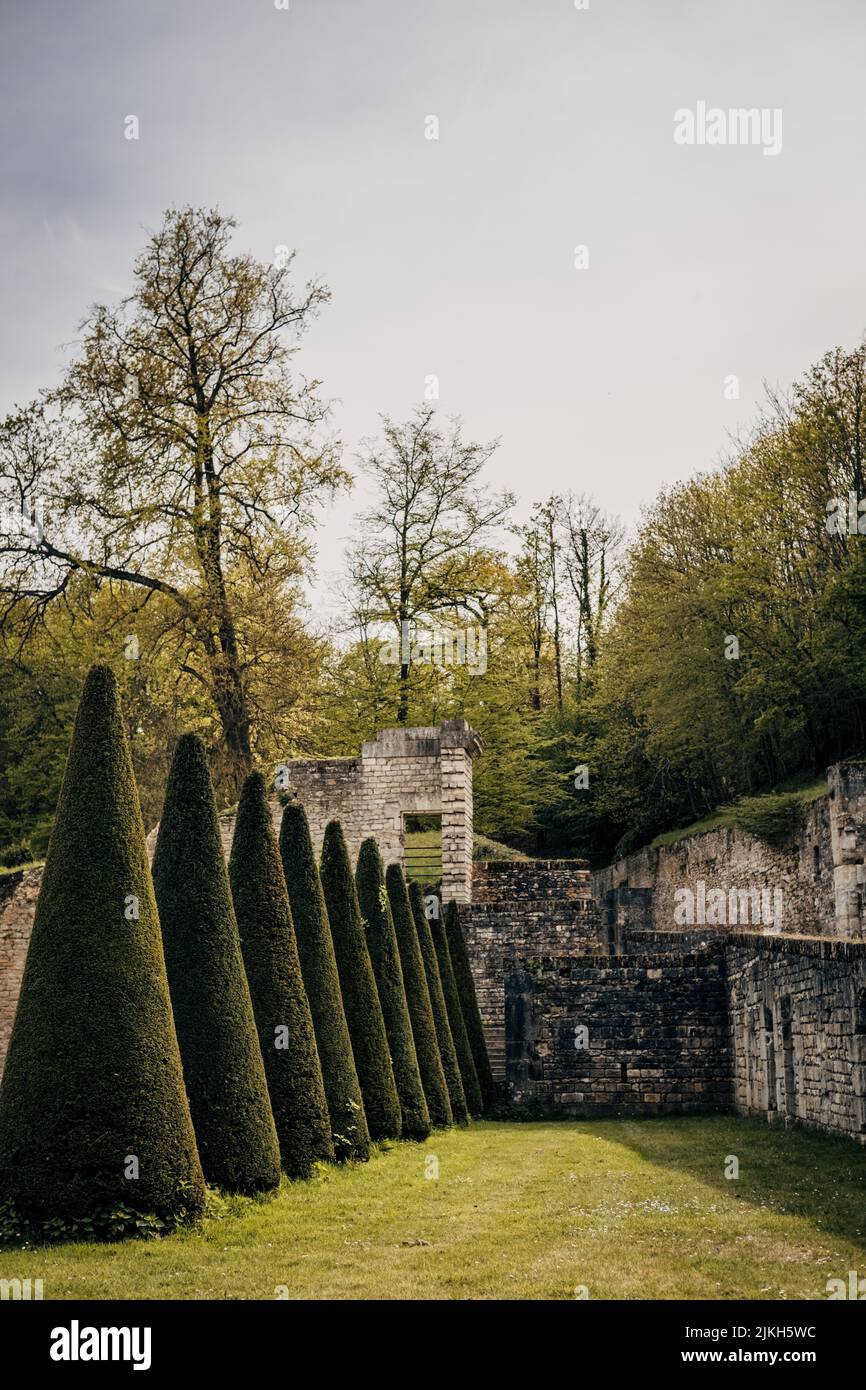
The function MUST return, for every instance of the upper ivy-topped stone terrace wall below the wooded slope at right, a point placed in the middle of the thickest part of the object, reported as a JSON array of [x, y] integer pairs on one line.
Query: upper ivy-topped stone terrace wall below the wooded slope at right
[[821, 874]]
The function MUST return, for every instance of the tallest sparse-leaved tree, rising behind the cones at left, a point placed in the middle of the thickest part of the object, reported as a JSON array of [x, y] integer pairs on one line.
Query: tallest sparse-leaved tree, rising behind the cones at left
[[194, 366]]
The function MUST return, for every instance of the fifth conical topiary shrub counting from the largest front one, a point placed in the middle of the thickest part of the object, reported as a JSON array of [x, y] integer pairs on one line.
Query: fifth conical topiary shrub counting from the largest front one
[[358, 985]]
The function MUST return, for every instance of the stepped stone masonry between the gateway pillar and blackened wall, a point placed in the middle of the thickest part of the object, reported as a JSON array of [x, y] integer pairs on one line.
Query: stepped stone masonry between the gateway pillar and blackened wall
[[525, 908]]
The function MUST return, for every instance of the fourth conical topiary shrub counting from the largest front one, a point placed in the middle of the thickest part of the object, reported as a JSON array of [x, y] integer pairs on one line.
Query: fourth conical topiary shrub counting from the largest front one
[[322, 983]]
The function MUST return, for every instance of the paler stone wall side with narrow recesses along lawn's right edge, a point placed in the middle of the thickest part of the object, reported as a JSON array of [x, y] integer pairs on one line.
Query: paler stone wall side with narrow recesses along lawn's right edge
[[799, 1017]]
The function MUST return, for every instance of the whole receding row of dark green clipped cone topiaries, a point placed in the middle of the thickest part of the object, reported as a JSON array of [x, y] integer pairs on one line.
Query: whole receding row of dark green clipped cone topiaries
[[195, 1027]]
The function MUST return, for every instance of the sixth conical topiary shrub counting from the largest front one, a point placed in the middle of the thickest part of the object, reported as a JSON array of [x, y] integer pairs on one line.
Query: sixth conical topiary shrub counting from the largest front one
[[386, 957]]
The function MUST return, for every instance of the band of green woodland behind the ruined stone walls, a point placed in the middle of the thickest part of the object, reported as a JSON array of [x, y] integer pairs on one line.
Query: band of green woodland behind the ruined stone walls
[[669, 728]]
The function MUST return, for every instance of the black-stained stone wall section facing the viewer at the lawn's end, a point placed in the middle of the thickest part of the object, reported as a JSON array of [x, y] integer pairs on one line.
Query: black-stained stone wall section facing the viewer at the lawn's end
[[643, 1036]]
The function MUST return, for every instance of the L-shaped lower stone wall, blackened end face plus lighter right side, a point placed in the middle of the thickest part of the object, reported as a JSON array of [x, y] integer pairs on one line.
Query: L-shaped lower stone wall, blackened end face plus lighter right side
[[692, 1021]]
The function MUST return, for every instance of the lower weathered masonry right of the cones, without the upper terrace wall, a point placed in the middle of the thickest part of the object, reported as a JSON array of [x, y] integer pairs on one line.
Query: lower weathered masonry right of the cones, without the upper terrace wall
[[678, 1021]]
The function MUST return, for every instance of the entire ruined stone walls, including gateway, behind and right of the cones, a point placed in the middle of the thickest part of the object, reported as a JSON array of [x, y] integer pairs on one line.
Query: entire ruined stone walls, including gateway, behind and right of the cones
[[593, 1003]]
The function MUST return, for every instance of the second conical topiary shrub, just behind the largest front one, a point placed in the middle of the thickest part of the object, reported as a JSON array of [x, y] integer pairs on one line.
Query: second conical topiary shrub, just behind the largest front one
[[223, 1067]]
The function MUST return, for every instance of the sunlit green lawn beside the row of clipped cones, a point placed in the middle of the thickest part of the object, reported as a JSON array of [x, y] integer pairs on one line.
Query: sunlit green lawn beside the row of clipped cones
[[626, 1209]]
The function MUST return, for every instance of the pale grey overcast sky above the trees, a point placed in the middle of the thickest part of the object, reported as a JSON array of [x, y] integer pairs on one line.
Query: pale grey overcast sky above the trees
[[607, 370]]
